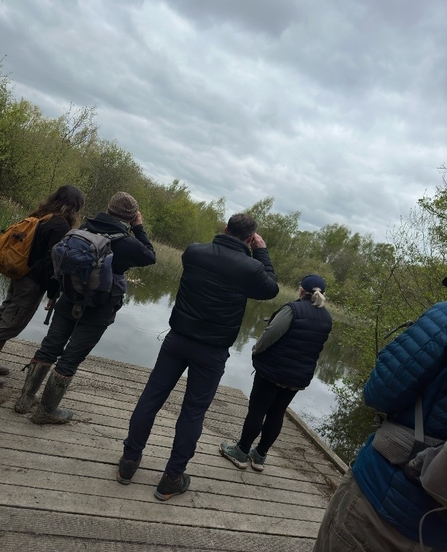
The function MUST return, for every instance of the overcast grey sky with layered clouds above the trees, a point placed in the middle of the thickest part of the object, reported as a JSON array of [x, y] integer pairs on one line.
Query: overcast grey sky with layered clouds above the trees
[[336, 108]]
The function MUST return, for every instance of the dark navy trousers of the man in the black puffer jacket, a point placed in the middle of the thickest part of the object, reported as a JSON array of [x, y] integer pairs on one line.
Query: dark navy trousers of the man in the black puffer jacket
[[206, 365]]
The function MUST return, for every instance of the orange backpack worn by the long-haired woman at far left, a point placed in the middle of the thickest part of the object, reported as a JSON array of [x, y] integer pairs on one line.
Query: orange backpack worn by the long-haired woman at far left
[[15, 246]]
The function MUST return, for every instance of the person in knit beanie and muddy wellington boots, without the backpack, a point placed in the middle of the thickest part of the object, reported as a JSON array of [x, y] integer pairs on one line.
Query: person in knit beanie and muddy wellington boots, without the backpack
[[70, 339]]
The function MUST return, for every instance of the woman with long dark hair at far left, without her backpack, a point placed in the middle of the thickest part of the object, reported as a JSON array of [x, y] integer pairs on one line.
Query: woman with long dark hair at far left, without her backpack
[[25, 295]]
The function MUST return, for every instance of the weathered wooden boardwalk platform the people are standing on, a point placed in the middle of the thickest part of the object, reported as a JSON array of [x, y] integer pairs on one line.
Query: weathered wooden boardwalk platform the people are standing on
[[58, 489]]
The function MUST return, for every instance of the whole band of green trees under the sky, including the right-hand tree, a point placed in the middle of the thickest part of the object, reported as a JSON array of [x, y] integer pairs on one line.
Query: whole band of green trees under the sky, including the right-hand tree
[[378, 286]]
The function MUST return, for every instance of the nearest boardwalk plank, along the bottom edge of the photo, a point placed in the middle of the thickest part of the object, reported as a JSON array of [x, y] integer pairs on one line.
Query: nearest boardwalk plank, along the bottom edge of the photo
[[43, 528]]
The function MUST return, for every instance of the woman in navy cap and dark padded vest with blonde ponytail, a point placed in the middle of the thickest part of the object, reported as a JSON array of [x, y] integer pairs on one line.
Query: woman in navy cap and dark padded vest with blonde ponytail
[[284, 358]]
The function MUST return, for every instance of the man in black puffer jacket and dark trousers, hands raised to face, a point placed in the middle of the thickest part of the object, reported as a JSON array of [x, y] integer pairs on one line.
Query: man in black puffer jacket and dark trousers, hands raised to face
[[217, 279]]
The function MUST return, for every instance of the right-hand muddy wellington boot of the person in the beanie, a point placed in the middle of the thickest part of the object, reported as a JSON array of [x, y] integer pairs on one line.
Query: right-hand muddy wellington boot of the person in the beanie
[[47, 411]]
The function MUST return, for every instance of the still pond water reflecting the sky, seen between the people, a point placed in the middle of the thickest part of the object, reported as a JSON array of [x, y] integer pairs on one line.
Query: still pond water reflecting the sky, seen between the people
[[142, 323]]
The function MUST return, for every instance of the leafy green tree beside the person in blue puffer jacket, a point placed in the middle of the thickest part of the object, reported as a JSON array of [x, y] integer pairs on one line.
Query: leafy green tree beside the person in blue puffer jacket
[[395, 285]]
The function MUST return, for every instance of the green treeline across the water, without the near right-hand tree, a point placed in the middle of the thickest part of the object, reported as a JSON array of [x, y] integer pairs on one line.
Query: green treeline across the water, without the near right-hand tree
[[38, 154]]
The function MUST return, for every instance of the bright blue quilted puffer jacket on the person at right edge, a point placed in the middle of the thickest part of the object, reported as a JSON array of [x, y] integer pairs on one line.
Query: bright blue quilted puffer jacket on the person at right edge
[[414, 363]]
